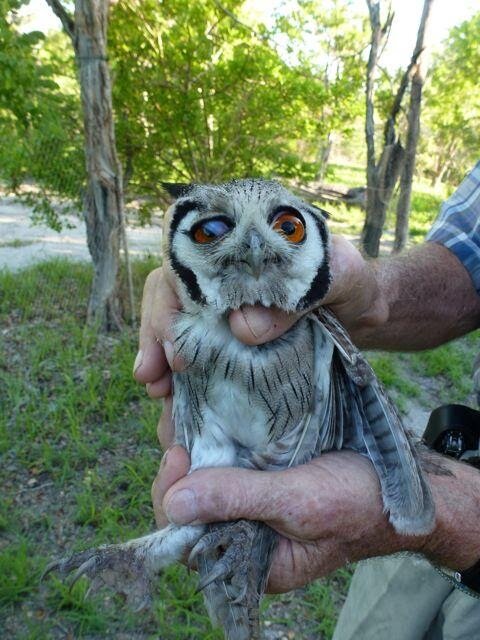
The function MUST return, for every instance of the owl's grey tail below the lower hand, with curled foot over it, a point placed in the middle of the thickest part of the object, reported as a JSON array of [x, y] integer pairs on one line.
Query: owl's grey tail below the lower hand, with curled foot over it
[[242, 551]]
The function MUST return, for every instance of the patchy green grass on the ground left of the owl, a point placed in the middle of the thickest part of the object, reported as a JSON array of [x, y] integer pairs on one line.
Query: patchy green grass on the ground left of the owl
[[79, 452]]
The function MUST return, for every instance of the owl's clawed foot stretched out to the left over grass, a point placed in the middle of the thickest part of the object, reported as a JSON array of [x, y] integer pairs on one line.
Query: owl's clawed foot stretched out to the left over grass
[[121, 567]]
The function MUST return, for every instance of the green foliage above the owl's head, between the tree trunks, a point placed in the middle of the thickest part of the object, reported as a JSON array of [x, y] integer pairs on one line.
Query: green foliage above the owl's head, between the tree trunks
[[201, 96]]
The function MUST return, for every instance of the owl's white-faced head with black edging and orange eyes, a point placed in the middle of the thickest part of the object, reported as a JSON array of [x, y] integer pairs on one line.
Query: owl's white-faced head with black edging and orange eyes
[[246, 242]]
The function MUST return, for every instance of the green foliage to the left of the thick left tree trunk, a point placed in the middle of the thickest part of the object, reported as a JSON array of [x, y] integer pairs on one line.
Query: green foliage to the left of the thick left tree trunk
[[40, 123]]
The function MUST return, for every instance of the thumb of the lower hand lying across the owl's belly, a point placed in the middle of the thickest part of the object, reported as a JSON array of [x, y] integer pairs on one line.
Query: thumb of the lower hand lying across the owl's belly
[[202, 496]]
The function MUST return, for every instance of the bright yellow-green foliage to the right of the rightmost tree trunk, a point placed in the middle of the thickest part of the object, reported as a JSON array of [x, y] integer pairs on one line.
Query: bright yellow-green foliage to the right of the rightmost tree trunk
[[452, 105]]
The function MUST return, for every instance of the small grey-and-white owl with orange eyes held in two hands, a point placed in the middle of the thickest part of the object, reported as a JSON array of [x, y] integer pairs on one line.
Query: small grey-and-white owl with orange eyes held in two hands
[[267, 407]]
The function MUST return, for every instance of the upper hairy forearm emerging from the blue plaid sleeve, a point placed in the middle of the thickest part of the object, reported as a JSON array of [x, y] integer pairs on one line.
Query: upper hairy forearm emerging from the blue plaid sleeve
[[415, 301]]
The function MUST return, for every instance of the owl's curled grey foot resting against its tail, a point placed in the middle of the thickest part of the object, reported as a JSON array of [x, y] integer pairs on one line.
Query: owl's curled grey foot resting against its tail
[[230, 547]]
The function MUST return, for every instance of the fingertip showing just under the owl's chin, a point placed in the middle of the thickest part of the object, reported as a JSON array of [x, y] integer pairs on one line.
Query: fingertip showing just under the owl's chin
[[256, 325]]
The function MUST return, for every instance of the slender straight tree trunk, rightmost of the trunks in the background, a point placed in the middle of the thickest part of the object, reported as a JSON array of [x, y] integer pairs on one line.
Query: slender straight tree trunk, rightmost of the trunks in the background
[[413, 131]]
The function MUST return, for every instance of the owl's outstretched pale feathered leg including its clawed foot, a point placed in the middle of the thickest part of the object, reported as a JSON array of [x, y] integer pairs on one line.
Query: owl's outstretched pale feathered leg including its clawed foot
[[130, 568]]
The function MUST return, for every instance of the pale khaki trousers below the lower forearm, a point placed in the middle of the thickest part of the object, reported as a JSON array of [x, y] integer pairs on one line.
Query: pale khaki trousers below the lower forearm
[[405, 598]]
